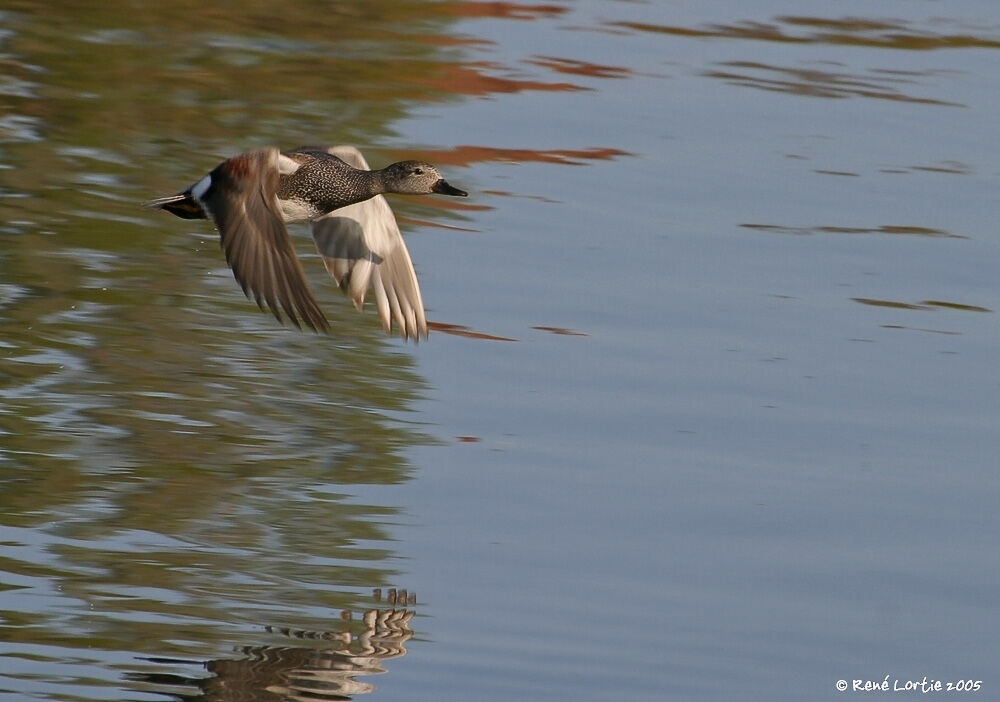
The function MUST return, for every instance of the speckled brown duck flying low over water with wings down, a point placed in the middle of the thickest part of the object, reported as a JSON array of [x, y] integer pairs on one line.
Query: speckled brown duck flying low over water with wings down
[[250, 198]]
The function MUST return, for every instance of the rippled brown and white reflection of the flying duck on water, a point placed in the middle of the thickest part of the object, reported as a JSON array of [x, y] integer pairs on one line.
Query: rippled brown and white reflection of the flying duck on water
[[304, 673]]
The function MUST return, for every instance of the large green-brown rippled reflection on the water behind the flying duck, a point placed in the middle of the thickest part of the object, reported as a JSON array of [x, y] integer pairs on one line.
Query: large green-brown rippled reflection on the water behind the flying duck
[[175, 466]]
